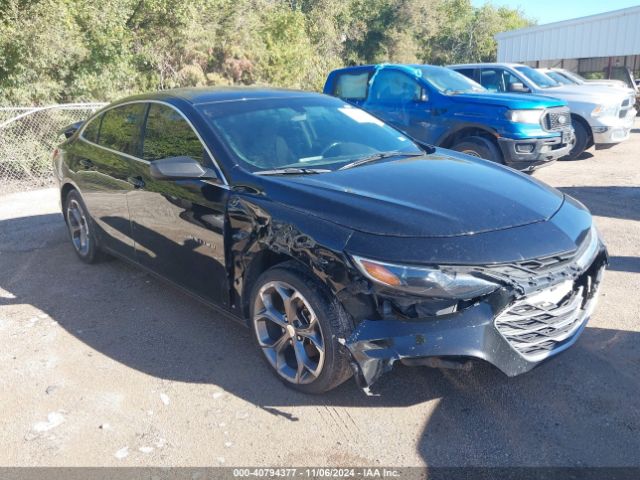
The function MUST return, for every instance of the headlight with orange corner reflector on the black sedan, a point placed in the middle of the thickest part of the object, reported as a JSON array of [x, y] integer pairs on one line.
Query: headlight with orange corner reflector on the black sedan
[[431, 282]]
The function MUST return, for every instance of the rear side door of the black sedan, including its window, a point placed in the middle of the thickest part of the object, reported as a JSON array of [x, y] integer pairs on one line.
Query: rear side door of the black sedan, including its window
[[105, 153]]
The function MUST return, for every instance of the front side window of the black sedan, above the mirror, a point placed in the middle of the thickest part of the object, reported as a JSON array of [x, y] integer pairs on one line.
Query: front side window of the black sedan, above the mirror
[[167, 134]]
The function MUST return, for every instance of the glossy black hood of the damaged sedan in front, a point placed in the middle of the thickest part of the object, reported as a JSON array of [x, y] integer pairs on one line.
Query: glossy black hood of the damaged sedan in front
[[444, 194]]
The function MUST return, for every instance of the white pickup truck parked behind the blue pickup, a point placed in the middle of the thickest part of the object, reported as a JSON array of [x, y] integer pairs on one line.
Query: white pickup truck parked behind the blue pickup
[[600, 116]]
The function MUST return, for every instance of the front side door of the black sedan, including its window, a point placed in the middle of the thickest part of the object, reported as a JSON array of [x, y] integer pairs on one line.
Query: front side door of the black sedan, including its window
[[178, 226]]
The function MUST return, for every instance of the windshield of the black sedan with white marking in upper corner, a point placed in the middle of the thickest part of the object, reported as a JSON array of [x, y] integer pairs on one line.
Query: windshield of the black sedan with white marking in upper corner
[[301, 133]]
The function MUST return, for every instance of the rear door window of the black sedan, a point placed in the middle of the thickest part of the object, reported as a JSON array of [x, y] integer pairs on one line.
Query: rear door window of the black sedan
[[120, 129]]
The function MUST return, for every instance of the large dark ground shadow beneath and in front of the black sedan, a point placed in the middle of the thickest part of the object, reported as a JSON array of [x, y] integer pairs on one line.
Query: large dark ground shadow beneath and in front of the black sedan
[[580, 408]]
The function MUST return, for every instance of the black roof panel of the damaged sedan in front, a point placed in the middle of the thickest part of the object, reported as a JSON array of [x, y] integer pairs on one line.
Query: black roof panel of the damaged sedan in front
[[203, 95]]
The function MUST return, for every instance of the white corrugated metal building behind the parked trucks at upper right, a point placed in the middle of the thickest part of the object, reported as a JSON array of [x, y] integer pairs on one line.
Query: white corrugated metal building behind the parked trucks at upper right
[[588, 45]]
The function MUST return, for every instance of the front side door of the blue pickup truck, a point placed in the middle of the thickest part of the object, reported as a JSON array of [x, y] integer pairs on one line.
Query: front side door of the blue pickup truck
[[403, 102]]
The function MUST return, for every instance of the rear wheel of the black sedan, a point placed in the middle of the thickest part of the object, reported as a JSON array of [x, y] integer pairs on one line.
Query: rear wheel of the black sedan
[[81, 228]]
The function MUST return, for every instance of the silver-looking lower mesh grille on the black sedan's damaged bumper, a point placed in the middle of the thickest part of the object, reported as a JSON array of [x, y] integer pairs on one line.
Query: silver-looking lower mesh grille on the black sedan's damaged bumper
[[536, 325]]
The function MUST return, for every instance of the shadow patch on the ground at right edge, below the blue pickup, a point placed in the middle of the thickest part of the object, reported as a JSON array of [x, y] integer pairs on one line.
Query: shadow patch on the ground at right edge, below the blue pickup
[[610, 201]]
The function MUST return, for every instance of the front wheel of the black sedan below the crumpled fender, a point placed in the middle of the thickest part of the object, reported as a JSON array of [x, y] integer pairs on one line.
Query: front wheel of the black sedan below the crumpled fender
[[297, 323]]
